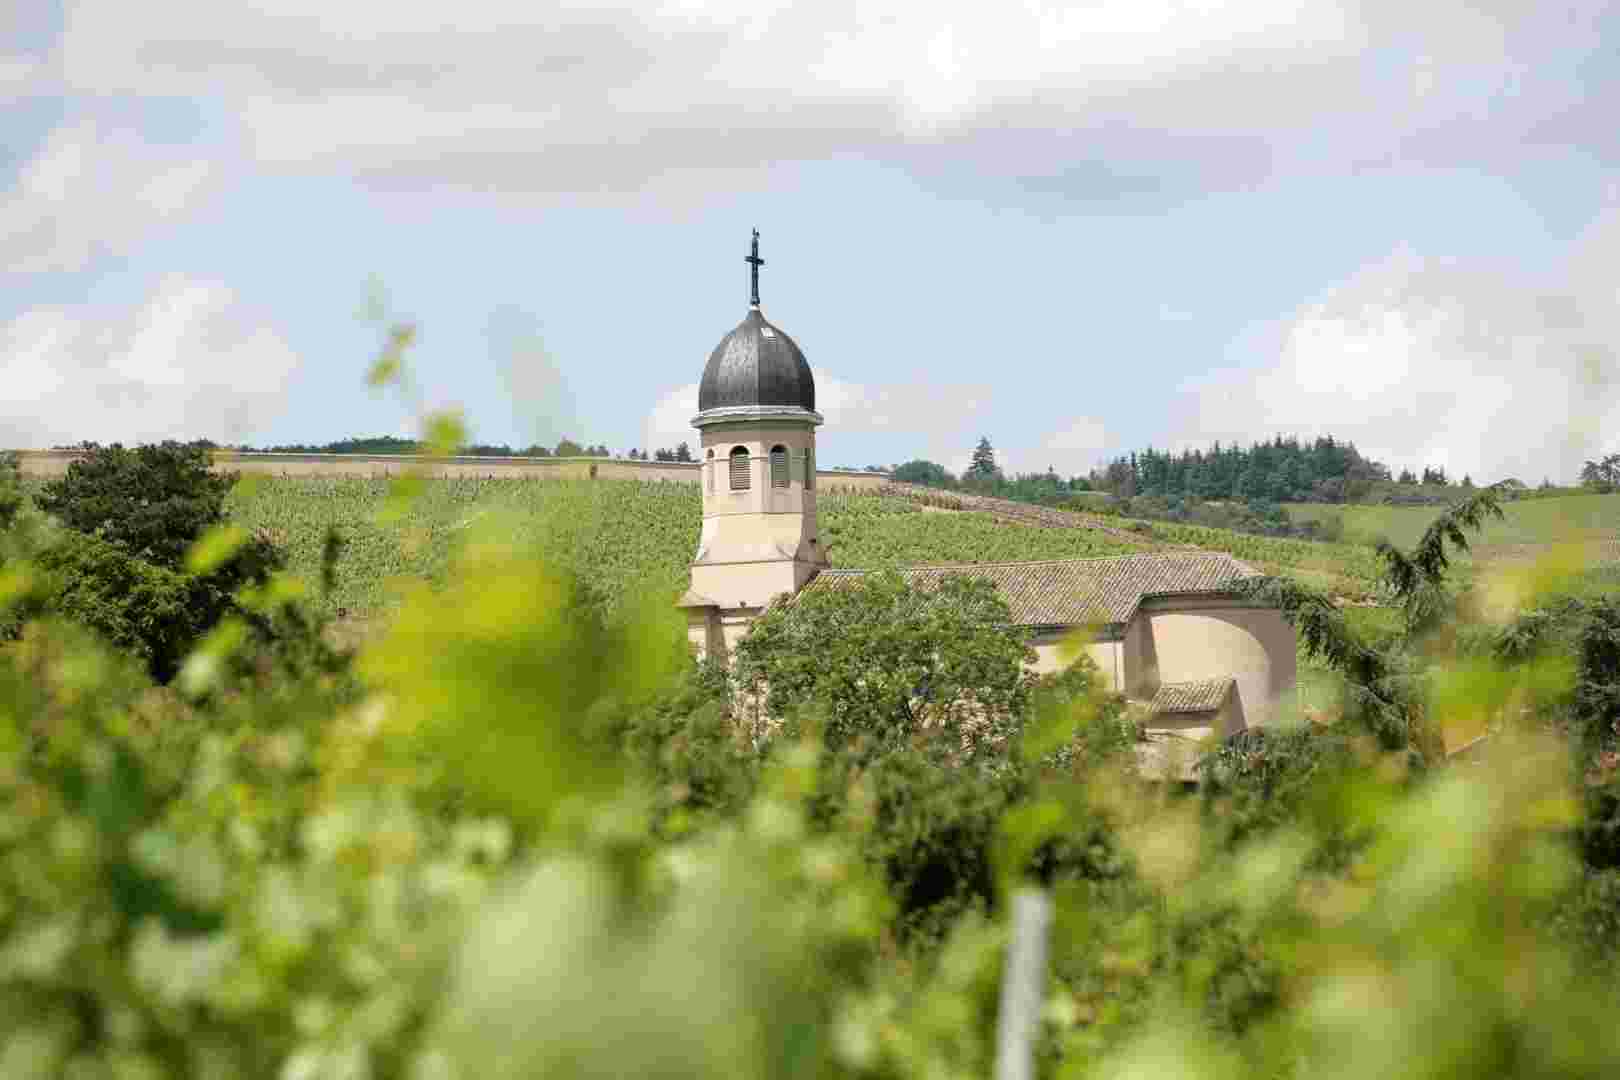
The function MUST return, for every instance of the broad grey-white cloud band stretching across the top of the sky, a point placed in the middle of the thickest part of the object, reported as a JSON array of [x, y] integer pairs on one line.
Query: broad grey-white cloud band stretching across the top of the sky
[[621, 96]]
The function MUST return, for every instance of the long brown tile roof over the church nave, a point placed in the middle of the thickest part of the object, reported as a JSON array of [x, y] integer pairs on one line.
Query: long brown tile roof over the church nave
[[1080, 592]]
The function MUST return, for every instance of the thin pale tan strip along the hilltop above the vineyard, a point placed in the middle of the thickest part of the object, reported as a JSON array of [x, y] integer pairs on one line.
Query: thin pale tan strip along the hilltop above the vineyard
[[56, 464]]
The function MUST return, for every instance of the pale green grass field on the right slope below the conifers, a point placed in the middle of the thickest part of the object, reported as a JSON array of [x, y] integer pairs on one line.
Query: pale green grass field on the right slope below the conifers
[[1528, 522]]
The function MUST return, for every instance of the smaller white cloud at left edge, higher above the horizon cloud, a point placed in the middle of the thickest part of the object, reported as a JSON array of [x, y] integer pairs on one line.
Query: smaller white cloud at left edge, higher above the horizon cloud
[[88, 193]]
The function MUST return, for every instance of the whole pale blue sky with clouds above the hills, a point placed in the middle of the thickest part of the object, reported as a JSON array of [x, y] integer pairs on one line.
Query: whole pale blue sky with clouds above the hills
[[1072, 229]]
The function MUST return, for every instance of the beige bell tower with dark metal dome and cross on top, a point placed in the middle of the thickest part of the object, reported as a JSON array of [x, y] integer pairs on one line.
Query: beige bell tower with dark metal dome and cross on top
[[757, 423]]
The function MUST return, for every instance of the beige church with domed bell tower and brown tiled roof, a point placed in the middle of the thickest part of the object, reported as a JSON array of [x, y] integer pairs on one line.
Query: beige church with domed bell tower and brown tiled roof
[[1164, 629]]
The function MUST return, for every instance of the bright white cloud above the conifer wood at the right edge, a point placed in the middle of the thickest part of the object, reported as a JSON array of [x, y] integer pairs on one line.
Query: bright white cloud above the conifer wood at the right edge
[[1438, 364]]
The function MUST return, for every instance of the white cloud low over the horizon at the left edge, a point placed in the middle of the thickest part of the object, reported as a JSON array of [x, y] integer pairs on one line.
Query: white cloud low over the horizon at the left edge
[[192, 362]]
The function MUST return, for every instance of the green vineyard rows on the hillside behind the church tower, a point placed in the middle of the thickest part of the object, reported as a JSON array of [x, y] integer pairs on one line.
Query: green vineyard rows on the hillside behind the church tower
[[626, 537]]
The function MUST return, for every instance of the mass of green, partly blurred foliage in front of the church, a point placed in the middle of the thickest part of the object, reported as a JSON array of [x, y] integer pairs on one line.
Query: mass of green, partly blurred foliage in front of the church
[[537, 843]]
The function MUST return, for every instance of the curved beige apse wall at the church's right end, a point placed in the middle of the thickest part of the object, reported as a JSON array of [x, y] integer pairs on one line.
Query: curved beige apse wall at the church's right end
[[1203, 639]]
